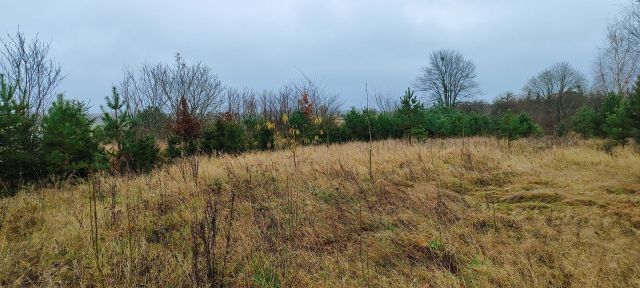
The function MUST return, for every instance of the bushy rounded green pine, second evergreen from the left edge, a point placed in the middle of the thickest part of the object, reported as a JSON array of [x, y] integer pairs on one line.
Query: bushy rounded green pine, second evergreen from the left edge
[[68, 145]]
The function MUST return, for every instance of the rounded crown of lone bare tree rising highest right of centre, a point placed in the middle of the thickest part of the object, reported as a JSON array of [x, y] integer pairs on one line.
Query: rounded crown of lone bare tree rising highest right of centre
[[449, 78]]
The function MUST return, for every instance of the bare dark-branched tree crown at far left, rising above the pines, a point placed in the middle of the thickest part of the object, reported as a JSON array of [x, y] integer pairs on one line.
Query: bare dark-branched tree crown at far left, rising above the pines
[[27, 65]]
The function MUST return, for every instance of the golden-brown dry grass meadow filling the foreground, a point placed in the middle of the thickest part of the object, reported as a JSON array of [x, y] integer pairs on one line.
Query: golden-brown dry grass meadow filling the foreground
[[444, 213]]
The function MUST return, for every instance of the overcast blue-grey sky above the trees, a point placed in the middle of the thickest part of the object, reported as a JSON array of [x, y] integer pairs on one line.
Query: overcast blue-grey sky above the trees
[[342, 44]]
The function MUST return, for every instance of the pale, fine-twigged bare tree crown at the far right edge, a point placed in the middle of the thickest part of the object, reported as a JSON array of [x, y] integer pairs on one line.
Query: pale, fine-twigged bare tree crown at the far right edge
[[617, 64]]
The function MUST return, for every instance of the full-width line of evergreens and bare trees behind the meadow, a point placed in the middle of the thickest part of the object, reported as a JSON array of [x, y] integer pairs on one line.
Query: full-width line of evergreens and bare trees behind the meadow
[[160, 112]]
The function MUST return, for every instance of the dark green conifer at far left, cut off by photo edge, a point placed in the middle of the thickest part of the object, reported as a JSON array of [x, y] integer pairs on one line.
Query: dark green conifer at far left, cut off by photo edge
[[18, 141]]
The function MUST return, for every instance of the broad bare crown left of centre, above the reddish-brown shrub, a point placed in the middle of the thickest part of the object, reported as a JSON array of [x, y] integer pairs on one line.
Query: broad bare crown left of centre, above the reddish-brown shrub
[[163, 86]]
